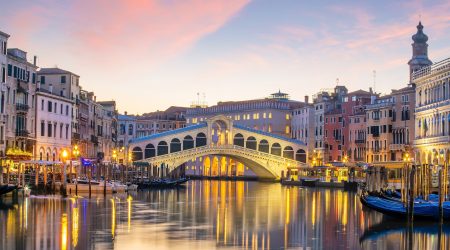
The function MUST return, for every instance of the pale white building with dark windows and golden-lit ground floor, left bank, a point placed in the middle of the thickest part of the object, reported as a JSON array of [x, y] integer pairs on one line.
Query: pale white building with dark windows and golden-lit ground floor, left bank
[[53, 125]]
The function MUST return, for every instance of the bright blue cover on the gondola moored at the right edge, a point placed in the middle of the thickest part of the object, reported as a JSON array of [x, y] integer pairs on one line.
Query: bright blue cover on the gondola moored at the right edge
[[422, 209]]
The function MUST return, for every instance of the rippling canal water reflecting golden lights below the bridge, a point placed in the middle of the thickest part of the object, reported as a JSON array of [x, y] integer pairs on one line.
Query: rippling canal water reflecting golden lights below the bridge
[[210, 215]]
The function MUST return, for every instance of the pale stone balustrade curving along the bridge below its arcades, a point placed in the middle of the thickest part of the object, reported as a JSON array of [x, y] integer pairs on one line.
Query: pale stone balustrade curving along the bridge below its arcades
[[223, 147]]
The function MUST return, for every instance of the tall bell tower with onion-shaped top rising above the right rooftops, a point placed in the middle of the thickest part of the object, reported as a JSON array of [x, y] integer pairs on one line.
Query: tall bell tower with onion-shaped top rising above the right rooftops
[[420, 51]]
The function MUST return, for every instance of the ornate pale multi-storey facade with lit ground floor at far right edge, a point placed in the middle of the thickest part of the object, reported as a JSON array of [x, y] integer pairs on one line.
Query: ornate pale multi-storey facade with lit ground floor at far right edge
[[432, 113]]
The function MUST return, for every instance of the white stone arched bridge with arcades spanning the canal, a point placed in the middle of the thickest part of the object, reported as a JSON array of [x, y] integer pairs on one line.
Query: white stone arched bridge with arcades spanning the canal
[[218, 142]]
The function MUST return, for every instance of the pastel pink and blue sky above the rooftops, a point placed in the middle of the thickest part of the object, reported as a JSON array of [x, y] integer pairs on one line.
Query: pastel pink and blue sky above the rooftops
[[150, 55]]
